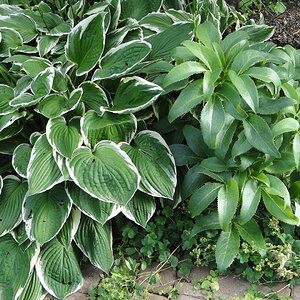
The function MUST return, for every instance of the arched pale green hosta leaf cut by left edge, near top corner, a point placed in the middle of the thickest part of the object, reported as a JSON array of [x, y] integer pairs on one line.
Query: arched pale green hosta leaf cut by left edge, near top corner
[[22, 24]]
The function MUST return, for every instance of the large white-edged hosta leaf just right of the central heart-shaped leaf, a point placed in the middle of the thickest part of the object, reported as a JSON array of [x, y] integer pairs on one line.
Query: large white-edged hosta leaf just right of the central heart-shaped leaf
[[155, 163]]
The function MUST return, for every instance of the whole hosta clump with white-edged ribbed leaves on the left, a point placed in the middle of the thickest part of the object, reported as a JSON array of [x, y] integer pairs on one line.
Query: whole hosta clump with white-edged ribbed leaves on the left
[[76, 97]]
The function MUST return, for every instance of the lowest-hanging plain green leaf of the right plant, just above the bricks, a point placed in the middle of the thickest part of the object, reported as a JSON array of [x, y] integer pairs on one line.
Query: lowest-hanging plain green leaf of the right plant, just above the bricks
[[227, 248]]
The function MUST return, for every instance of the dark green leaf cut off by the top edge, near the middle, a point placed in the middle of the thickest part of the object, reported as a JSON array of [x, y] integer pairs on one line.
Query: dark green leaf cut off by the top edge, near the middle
[[138, 9]]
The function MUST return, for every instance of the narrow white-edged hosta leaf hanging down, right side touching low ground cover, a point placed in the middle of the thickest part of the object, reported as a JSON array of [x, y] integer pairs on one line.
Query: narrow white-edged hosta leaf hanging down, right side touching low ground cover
[[95, 241]]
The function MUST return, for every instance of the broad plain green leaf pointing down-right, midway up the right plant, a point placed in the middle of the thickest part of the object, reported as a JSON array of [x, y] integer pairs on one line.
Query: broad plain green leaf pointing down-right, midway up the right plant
[[259, 135]]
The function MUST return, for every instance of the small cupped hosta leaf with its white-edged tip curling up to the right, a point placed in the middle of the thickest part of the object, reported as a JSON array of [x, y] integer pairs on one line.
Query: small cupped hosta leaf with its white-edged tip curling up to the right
[[55, 105]]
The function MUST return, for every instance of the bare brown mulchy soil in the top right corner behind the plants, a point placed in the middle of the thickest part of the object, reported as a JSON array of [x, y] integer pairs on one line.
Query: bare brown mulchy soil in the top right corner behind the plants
[[287, 24]]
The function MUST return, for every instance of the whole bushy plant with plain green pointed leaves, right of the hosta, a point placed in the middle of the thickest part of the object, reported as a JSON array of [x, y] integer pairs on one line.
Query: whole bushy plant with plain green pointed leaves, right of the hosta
[[237, 140]]
